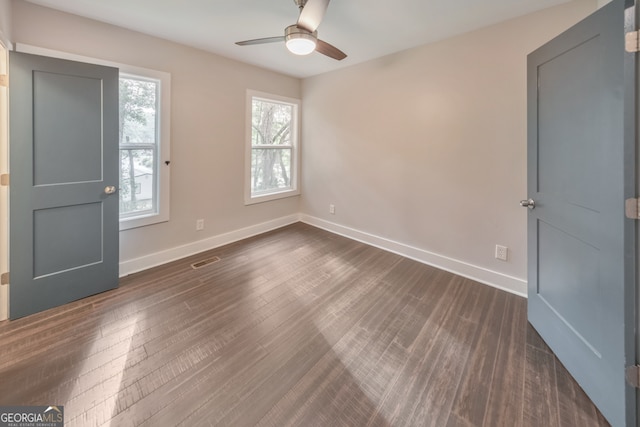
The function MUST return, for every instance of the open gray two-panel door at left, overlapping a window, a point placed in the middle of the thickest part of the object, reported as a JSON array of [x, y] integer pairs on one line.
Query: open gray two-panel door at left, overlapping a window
[[63, 155]]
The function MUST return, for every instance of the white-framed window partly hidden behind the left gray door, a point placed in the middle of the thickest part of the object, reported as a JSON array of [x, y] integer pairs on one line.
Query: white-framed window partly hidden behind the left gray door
[[143, 153]]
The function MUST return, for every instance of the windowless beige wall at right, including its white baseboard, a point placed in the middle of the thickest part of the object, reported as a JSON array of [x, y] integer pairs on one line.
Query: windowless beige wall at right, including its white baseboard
[[424, 151]]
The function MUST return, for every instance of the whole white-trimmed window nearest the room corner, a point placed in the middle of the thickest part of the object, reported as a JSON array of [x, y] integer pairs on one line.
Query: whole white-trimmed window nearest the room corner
[[272, 147]]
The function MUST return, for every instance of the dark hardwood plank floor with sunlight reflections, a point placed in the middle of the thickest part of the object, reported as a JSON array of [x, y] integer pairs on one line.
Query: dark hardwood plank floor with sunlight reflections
[[294, 327]]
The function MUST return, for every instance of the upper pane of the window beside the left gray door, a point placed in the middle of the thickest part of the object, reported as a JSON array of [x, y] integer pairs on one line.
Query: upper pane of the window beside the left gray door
[[138, 118]]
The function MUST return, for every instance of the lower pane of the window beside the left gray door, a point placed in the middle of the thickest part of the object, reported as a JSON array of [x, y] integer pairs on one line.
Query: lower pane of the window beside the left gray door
[[136, 181]]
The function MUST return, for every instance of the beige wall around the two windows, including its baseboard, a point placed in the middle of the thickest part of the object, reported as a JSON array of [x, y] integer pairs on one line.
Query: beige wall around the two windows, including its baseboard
[[207, 130]]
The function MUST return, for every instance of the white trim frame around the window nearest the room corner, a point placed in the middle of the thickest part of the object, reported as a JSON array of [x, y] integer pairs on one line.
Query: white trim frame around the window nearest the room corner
[[295, 149]]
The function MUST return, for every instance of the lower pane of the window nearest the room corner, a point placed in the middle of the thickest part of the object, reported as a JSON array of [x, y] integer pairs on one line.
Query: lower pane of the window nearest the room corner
[[270, 169]]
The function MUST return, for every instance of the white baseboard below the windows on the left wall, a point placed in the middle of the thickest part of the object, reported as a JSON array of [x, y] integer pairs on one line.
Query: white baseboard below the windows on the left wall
[[158, 258]]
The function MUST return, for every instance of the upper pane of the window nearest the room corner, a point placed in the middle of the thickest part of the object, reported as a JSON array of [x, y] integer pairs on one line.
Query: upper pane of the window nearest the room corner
[[271, 123]]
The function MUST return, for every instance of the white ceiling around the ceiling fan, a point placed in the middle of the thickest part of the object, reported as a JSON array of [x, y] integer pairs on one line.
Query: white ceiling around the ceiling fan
[[363, 29]]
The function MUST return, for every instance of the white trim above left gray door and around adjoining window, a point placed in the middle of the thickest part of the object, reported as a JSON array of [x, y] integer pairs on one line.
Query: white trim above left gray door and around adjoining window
[[164, 171]]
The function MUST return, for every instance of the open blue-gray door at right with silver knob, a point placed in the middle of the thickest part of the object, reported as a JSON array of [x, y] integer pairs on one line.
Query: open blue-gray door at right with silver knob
[[581, 166]]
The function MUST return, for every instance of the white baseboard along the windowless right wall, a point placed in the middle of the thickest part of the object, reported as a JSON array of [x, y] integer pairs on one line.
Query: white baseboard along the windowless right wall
[[495, 279]]
